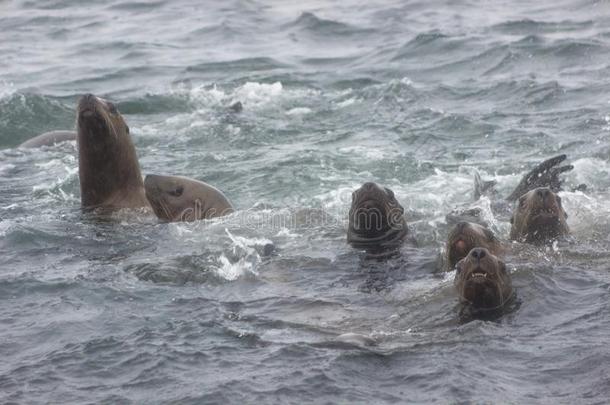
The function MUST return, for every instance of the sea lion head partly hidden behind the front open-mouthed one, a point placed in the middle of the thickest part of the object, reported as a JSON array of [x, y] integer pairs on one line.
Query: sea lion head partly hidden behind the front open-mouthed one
[[465, 236]]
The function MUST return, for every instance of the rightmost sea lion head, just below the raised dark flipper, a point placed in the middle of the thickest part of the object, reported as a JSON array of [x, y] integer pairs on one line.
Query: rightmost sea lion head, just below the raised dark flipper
[[539, 217]]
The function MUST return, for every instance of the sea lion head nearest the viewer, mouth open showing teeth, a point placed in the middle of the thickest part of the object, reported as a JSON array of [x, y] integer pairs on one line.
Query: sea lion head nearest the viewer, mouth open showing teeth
[[482, 280]]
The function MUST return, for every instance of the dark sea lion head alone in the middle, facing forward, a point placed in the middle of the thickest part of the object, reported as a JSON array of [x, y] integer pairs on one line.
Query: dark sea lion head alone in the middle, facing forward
[[376, 219]]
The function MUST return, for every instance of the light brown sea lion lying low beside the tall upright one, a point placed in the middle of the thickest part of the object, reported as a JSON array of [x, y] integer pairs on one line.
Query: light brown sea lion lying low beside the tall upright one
[[176, 198]]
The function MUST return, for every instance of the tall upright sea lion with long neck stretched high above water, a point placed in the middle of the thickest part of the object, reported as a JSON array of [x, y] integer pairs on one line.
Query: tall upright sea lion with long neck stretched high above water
[[108, 166]]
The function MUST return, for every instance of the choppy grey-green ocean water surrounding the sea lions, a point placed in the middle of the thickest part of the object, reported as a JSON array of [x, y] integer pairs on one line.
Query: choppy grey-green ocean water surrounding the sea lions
[[415, 95]]
